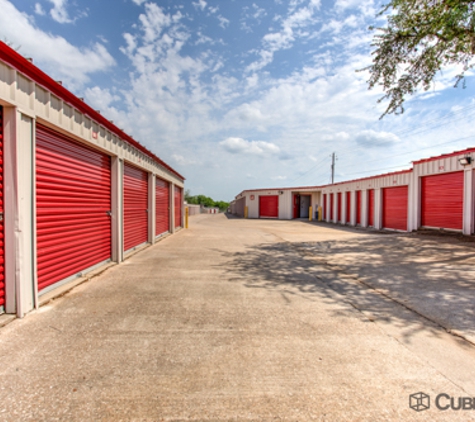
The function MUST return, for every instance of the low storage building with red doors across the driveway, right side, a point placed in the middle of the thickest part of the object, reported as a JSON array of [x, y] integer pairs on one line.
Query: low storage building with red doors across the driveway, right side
[[438, 192]]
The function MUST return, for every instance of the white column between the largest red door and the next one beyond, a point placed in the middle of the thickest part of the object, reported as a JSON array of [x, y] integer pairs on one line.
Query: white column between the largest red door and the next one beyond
[[117, 212]]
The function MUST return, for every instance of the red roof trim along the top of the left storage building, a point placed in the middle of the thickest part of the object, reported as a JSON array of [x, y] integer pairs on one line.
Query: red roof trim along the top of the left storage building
[[22, 65]]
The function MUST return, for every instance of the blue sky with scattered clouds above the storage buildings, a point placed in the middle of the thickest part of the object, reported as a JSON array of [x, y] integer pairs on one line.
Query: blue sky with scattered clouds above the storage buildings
[[239, 94]]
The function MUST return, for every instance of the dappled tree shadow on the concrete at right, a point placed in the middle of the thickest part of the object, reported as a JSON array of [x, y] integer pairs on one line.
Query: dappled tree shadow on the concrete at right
[[434, 279]]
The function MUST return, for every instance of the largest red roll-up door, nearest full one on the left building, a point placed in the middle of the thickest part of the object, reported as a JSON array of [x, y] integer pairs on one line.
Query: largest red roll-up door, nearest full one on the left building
[[73, 203]]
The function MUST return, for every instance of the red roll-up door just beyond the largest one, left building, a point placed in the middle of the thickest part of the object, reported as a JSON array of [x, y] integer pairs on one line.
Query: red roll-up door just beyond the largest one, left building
[[135, 206]]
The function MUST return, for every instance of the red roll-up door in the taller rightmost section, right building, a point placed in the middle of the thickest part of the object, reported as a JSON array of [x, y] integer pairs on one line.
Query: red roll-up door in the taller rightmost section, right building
[[442, 200]]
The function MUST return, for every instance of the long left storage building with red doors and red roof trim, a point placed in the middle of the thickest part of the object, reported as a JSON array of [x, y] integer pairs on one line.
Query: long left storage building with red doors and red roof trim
[[76, 193]]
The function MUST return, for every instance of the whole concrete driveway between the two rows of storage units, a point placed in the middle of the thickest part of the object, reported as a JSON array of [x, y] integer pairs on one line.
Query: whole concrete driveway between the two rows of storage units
[[238, 319]]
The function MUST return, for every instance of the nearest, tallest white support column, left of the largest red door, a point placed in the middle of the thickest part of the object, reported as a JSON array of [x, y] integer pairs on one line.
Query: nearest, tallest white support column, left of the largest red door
[[20, 240]]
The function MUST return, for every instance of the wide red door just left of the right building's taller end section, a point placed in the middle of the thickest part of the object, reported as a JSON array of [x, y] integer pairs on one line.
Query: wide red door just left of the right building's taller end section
[[395, 202]]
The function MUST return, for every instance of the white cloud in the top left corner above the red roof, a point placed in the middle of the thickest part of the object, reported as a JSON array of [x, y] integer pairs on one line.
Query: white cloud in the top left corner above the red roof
[[65, 61]]
